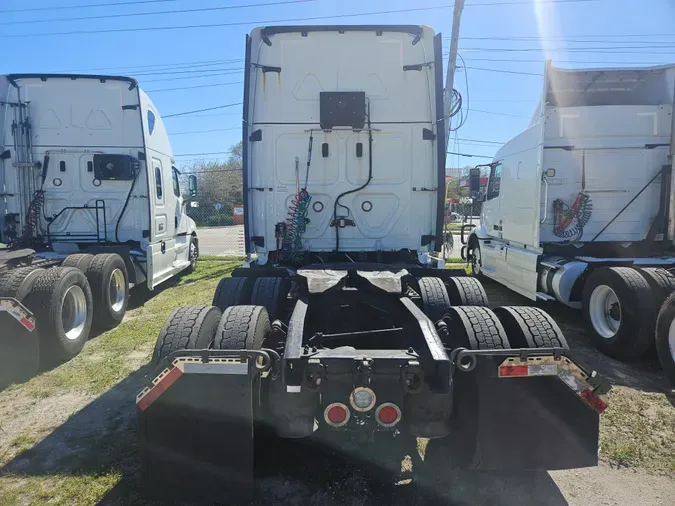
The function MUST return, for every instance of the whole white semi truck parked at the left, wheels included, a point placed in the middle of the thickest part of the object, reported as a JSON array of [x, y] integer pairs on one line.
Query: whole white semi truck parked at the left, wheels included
[[90, 203]]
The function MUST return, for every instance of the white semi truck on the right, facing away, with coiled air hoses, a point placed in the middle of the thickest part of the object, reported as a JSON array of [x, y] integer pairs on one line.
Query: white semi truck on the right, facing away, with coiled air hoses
[[579, 207]]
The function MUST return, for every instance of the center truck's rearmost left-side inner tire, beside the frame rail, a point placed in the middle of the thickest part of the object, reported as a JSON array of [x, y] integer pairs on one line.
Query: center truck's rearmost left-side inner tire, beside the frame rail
[[242, 328]]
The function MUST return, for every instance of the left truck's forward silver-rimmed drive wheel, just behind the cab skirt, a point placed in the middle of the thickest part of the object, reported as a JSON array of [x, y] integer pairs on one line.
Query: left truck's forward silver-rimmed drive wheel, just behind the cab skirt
[[109, 280]]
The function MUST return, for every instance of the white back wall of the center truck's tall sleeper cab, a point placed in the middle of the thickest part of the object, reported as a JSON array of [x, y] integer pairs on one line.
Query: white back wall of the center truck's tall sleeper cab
[[291, 73]]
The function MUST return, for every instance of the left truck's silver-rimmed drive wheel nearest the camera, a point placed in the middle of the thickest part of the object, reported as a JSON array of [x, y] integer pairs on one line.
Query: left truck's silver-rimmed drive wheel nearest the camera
[[61, 301]]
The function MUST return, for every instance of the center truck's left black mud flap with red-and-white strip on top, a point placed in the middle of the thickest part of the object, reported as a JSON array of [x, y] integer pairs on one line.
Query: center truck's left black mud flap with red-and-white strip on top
[[197, 430]]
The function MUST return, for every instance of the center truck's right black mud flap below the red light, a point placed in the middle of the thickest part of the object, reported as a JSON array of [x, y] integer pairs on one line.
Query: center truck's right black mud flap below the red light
[[523, 423]]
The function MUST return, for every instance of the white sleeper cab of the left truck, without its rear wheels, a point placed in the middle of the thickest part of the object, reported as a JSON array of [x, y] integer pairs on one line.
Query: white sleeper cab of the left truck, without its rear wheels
[[87, 167]]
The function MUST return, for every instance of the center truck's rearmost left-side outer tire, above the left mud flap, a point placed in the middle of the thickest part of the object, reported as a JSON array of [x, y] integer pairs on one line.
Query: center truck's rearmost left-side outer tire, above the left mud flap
[[188, 328]]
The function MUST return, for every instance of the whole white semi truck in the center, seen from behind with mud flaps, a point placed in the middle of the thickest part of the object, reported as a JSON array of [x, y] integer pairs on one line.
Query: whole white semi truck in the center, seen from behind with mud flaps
[[344, 329]]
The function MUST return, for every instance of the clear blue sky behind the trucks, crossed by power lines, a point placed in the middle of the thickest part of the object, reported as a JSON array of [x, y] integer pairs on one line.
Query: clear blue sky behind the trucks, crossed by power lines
[[592, 33]]
